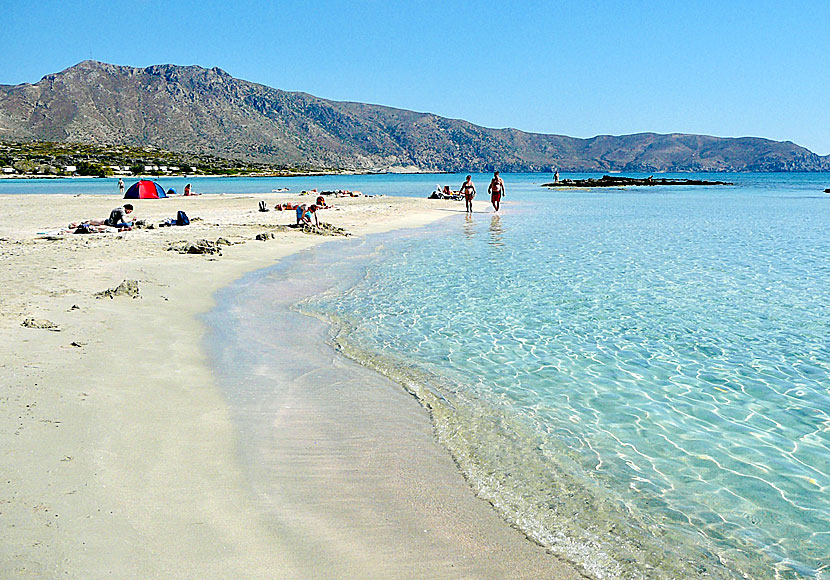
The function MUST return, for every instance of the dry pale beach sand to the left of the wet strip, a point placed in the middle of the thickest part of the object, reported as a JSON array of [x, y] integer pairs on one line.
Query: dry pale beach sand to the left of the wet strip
[[121, 456]]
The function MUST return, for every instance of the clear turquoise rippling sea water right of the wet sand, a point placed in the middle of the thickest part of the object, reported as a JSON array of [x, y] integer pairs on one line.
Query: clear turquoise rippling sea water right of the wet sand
[[638, 379]]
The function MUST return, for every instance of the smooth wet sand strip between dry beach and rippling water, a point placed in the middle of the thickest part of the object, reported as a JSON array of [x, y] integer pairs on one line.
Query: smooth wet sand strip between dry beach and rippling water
[[382, 498]]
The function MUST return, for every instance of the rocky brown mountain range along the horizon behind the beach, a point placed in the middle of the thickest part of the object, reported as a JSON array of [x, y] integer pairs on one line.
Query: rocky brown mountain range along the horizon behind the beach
[[207, 111]]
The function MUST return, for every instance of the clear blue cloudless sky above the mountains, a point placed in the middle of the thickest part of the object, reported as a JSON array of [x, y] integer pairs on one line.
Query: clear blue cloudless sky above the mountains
[[581, 68]]
